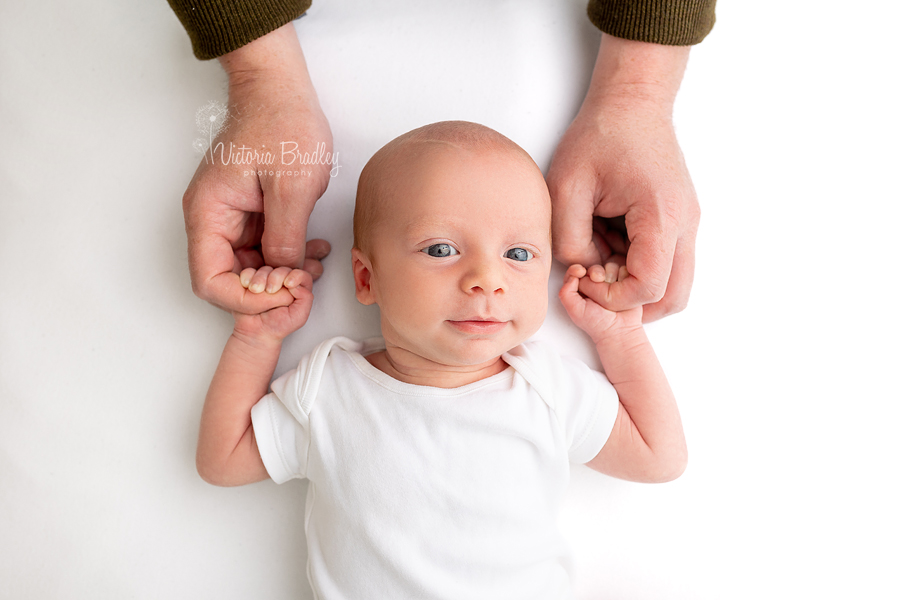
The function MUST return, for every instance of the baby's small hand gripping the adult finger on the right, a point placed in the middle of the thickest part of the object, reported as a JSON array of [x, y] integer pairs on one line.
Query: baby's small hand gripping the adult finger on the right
[[590, 316]]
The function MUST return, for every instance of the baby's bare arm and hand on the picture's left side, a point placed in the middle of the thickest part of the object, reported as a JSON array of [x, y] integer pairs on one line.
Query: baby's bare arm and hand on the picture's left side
[[227, 453]]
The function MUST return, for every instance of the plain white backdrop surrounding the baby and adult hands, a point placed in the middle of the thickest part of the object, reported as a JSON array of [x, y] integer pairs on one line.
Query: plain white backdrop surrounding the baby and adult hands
[[781, 363]]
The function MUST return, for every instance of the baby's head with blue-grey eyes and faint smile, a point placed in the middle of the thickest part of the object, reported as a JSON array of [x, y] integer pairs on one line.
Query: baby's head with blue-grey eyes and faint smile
[[452, 241]]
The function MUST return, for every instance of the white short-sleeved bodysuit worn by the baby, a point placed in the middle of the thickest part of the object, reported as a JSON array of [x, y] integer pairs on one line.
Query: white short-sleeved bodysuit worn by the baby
[[420, 492]]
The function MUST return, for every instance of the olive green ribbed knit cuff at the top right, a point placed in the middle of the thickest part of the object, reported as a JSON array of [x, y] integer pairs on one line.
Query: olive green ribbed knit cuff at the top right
[[669, 22]]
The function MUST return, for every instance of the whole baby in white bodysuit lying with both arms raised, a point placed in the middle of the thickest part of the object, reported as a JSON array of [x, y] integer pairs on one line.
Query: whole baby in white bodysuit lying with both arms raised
[[438, 455]]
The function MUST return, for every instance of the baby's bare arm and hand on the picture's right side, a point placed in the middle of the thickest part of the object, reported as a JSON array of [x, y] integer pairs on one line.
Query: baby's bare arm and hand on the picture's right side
[[647, 441]]
